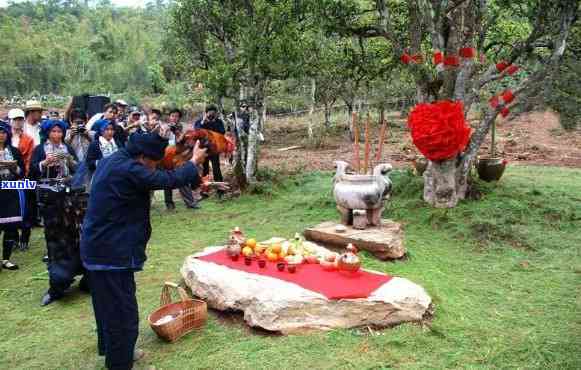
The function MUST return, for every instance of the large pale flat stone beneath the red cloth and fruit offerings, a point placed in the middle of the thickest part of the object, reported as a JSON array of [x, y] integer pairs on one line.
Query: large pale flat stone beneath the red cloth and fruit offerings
[[285, 307]]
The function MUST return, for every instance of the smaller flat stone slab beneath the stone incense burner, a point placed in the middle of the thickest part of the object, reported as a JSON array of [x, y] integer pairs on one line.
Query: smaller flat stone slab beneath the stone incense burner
[[384, 242]]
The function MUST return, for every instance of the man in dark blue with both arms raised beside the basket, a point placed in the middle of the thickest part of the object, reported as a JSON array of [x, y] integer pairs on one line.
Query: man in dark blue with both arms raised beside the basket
[[115, 233]]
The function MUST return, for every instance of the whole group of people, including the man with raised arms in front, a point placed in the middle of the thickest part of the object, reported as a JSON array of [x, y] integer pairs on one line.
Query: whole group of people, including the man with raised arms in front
[[93, 182]]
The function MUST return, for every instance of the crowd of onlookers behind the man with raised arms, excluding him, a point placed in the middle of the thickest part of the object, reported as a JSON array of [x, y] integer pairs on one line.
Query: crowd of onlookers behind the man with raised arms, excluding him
[[61, 152]]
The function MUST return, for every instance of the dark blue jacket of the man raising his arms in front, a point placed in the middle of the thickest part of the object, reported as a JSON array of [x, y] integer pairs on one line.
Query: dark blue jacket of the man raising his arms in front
[[117, 227]]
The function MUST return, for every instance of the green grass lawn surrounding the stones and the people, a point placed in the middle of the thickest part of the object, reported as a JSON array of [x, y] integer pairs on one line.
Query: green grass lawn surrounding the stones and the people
[[504, 273]]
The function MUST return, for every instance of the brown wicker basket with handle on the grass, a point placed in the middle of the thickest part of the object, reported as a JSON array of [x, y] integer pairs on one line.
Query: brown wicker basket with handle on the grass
[[188, 314]]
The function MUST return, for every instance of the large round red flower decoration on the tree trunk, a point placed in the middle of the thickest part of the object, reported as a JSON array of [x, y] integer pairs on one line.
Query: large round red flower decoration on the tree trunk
[[439, 130]]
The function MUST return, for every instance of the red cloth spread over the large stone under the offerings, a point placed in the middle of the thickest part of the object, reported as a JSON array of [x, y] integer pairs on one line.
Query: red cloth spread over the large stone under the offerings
[[331, 284]]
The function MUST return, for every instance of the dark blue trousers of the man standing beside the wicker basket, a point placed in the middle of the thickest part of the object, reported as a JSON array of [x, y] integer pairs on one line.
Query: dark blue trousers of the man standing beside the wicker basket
[[117, 316]]
